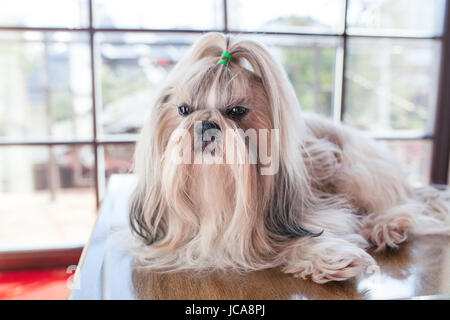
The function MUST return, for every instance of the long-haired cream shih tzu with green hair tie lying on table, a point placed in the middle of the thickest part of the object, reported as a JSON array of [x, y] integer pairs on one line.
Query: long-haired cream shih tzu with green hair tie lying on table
[[233, 175]]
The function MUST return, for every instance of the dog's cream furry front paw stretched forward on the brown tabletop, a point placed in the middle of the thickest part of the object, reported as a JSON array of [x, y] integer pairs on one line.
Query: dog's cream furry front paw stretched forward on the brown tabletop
[[334, 266]]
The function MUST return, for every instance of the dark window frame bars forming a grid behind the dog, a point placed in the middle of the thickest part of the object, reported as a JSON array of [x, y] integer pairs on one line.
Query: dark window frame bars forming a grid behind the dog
[[441, 135]]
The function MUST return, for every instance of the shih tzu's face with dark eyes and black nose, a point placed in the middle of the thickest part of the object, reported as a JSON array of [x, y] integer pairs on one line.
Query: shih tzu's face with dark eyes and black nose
[[211, 105]]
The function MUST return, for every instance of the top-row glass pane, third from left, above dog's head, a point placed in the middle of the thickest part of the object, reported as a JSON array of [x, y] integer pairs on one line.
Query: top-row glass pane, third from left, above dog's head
[[286, 15]]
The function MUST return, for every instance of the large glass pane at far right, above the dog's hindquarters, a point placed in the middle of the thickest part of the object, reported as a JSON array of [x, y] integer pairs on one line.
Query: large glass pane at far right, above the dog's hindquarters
[[393, 89]]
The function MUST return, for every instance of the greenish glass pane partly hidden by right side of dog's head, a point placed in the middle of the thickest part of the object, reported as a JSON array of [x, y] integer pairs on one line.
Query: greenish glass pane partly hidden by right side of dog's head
[[310, 65]]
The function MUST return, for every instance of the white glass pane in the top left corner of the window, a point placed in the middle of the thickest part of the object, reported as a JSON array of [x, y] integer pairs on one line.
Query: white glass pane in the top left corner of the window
[[45, 13]]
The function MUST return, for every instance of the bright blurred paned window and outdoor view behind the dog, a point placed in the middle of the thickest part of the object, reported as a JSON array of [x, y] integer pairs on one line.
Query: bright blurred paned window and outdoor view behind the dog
[[77, 78]]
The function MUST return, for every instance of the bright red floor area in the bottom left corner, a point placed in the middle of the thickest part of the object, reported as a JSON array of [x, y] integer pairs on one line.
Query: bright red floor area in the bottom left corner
[[49, 284]]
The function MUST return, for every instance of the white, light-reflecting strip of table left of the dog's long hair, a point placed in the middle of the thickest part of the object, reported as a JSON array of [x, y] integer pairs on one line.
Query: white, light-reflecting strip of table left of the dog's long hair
[[105, 268]]
